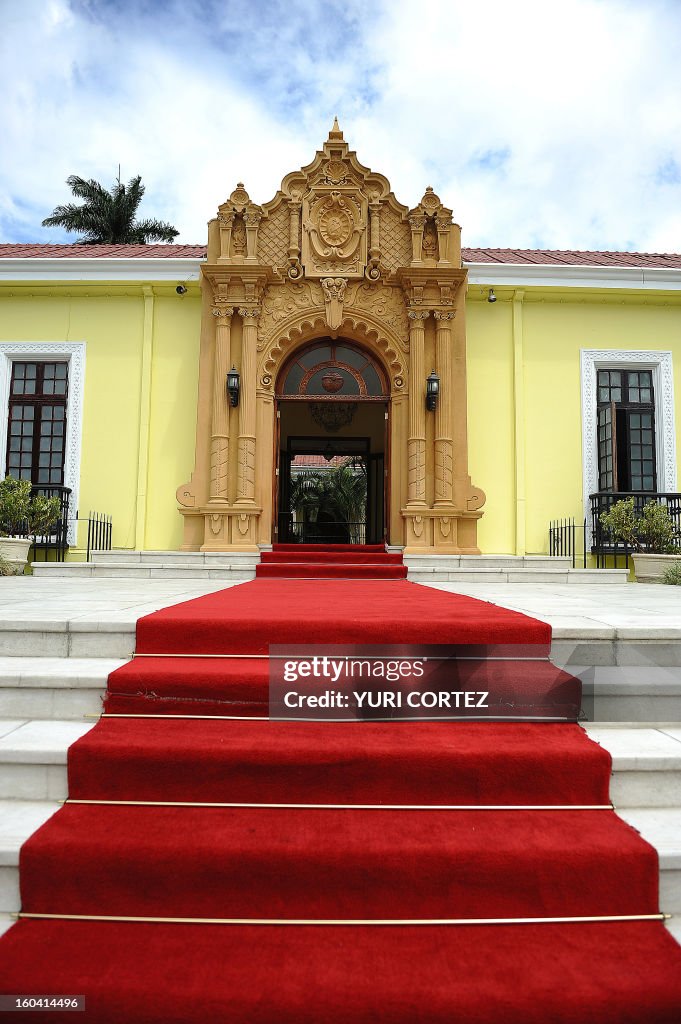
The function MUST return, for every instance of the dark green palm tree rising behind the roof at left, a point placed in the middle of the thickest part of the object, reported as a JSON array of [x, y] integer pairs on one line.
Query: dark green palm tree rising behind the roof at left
[[109, 217]]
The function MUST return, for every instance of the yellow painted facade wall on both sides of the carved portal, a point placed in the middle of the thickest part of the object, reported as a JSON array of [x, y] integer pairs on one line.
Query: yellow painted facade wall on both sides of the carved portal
[[133, 474]]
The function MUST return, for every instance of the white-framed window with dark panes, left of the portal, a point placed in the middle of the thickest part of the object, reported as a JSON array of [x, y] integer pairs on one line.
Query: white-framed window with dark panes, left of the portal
[[45, 370]]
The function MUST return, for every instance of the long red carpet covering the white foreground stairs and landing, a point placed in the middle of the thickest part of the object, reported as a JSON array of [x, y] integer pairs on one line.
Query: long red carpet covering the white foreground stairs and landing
[[347, 864]]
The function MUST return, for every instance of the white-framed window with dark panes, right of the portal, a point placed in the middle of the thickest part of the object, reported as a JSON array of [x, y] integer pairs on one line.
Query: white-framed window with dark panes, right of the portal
[[614, 381]]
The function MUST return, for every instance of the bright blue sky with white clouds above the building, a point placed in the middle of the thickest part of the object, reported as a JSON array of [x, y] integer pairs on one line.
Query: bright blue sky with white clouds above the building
[[543, 123]]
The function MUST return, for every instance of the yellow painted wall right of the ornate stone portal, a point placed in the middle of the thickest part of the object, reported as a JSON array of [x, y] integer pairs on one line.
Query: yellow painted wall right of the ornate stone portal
[[556, 328]]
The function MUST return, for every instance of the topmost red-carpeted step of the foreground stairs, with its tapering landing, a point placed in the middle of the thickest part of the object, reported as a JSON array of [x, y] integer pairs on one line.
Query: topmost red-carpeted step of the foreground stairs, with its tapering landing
[[251, 618]]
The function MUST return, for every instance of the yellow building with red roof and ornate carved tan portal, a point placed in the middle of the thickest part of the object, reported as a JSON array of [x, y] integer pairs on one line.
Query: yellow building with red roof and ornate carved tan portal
[[485, 392]]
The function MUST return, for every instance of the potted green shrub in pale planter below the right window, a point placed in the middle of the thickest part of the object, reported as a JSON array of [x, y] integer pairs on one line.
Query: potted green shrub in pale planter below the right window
[[651, 533]]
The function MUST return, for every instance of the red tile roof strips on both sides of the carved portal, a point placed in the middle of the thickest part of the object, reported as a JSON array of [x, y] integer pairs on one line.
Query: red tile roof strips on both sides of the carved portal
[[542, 258]]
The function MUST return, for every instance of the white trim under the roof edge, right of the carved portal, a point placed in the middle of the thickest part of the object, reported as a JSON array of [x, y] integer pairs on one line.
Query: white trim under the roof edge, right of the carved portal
[[573, 276]]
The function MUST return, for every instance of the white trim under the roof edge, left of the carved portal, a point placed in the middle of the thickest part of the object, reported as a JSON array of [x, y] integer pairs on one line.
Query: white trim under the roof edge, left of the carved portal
[[34, 269]]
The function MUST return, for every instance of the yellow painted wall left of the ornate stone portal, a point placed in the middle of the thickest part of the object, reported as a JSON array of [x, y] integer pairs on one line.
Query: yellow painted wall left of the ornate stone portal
[[111, 322]]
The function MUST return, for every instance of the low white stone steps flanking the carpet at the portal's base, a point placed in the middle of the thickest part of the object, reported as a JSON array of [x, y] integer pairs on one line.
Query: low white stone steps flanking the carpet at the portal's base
[[236, 567]]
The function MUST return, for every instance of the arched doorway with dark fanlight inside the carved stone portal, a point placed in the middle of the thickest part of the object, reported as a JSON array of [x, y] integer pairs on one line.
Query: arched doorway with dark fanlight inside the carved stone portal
[[331, 447]]
